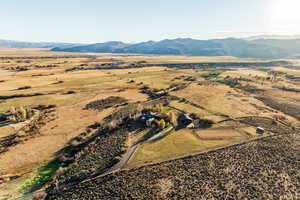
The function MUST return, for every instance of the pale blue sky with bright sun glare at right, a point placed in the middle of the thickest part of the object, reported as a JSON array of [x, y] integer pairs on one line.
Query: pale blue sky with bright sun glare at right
[[142, 20]]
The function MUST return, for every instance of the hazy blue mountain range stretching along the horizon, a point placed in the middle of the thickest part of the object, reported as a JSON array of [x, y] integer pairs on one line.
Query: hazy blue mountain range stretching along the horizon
[[264, 47]]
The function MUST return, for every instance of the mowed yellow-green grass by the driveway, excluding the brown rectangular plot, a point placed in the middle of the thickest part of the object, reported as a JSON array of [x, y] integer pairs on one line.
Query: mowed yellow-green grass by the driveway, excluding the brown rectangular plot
[[178, 144]]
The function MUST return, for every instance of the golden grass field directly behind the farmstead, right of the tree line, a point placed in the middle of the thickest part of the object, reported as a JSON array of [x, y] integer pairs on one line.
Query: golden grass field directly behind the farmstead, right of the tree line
[[221, 99]]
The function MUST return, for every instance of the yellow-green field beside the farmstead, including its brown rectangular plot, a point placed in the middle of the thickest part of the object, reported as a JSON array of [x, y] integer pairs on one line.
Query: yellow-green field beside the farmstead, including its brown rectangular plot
[[183, 142]]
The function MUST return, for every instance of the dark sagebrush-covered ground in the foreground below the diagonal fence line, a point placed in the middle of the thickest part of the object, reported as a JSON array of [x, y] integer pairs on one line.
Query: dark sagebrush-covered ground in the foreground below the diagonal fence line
[[264, 169]]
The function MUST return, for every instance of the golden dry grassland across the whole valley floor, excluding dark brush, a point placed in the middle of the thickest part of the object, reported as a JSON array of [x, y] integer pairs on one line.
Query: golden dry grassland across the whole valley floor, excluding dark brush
[[67, 82]]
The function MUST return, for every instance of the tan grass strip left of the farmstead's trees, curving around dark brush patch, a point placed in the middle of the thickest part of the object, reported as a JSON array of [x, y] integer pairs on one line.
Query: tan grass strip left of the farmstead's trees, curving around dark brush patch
[[68, 122]]
